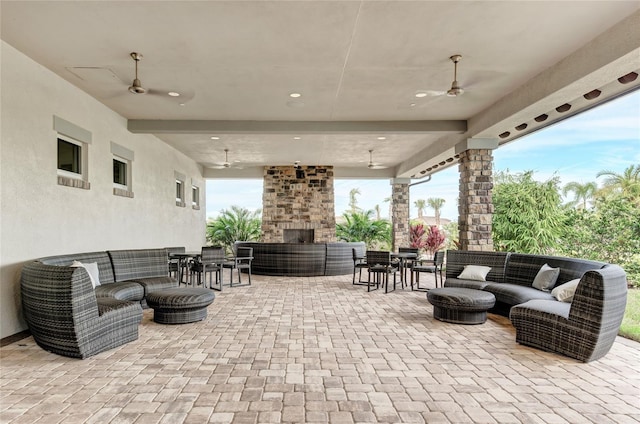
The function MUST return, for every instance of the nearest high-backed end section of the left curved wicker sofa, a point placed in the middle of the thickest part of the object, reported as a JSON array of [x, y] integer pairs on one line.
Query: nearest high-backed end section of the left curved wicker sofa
[[65, 317]]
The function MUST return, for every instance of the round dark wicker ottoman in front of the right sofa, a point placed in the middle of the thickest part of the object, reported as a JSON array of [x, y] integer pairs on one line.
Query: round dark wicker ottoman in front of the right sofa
[[459, 305]]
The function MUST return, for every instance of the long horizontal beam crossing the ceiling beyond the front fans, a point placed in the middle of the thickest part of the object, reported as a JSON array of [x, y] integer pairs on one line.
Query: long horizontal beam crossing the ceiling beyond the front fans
[[150, 126]]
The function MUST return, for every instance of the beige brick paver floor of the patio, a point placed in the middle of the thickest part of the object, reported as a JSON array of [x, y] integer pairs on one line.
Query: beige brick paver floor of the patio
[[310, 350]]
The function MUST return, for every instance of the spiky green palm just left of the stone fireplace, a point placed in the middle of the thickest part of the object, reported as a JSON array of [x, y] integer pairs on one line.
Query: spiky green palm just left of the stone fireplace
[[237, 224]]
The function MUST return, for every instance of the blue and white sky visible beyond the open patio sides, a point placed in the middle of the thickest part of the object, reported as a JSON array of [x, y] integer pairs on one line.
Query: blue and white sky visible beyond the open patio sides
[[604, 138]]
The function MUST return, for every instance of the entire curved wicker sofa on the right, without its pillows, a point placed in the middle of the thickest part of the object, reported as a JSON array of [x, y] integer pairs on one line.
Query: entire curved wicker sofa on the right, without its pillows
[[584, 329]]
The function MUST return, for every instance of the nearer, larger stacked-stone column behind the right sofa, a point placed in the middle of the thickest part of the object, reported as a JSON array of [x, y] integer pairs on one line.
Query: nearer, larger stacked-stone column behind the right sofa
[[475, 205]]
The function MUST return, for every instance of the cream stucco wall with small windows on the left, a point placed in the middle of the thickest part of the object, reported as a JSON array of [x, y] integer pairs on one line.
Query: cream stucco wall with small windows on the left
[[41, 218]]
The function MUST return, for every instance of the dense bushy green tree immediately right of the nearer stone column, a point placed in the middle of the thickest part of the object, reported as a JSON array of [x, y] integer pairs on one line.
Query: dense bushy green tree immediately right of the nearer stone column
[[528, 214]]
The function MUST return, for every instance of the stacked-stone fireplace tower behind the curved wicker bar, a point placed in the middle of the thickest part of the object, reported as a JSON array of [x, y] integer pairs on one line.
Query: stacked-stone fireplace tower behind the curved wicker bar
[[298, 205]]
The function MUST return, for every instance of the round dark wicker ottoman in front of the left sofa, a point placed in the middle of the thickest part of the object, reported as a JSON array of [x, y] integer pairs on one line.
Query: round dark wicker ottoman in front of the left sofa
[[180, 305]]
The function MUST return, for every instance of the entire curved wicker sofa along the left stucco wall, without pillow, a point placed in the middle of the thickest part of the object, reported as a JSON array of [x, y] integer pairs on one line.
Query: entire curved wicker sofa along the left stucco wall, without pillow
[[67, 316]]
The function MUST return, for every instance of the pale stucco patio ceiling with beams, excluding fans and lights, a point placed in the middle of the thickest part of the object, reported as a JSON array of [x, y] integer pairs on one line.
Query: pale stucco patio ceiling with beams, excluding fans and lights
[[357, 65]]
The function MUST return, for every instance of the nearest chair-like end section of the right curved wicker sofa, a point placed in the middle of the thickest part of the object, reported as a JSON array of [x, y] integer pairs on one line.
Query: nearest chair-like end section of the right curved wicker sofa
[[584, 329]]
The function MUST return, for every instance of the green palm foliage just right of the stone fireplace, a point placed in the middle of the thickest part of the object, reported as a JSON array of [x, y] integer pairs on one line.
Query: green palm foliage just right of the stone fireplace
[[359, 226]]
